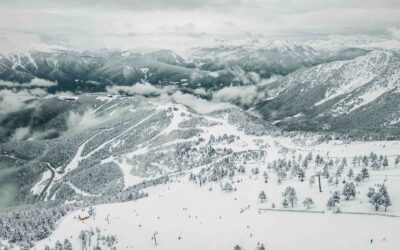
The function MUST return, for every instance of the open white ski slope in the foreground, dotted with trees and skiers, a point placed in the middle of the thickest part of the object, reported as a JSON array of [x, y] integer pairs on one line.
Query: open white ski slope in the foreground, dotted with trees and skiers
[[185, 215]]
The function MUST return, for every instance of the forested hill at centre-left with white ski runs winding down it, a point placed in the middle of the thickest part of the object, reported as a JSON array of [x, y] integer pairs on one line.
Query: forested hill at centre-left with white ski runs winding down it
[[144, 139]]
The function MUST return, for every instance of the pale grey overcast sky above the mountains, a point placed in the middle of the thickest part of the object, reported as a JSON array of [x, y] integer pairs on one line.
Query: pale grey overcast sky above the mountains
[[164, 23]]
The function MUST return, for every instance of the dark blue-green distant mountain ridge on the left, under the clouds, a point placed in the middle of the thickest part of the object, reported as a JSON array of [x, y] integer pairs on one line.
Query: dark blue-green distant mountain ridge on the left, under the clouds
[[92, 71]]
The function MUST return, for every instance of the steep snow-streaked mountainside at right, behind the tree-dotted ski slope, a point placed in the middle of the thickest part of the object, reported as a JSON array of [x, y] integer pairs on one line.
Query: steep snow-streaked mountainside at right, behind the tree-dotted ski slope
[[362, 93]]
